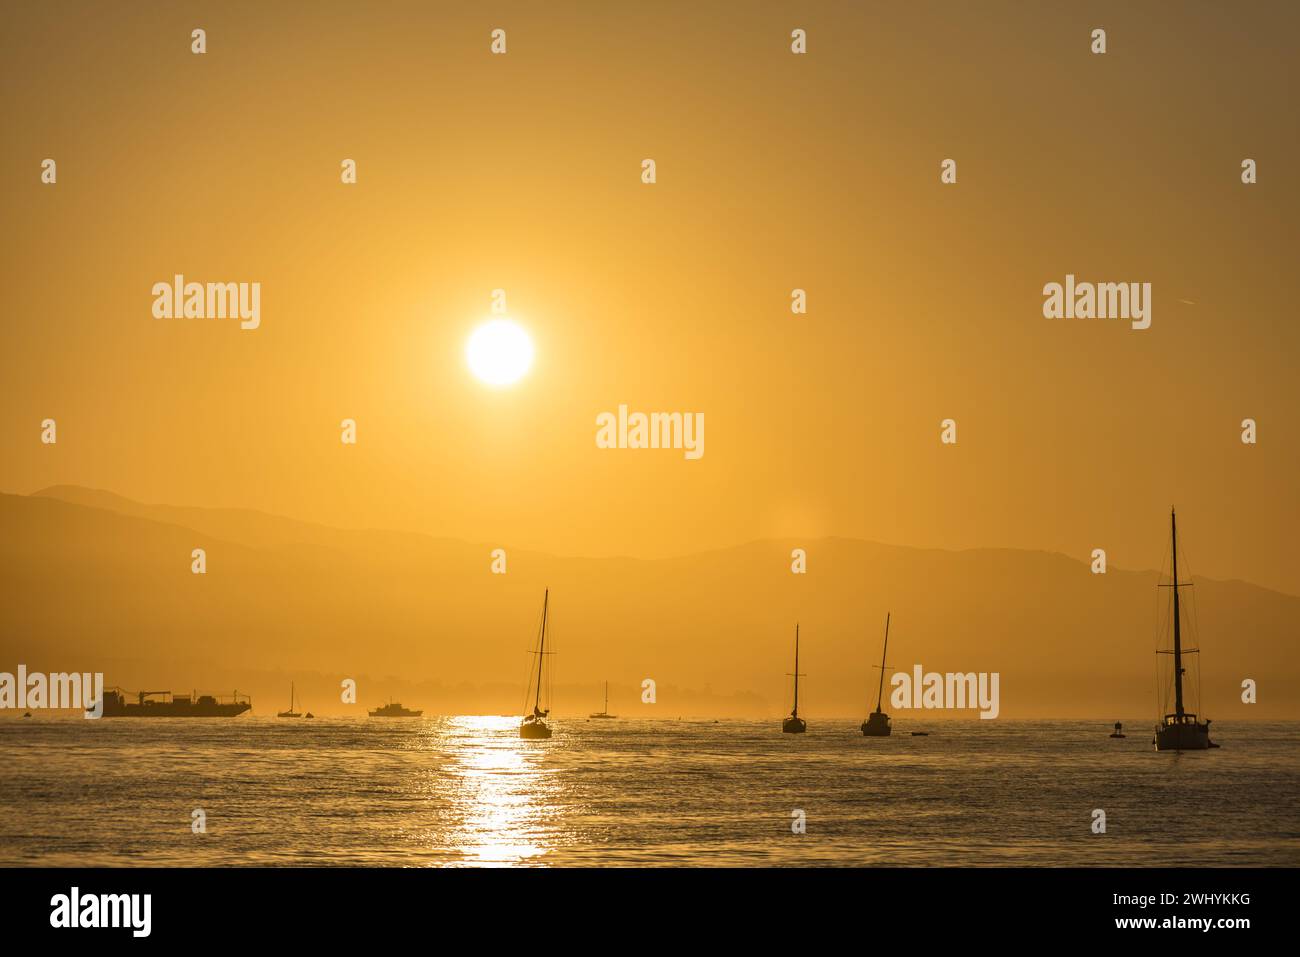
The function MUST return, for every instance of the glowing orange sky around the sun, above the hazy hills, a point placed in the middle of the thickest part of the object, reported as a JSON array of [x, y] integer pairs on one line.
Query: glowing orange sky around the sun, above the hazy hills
[[775, 172]]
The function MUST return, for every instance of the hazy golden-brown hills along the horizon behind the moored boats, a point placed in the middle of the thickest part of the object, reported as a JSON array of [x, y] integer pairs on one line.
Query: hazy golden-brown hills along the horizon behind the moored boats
[[96, 582]]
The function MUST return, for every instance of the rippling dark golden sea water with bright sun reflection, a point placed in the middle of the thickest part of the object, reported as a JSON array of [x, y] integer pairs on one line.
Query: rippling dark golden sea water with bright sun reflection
[[469, 793]]
